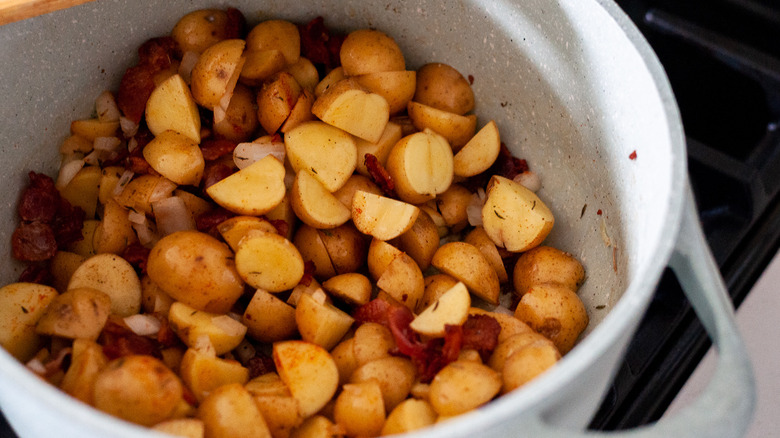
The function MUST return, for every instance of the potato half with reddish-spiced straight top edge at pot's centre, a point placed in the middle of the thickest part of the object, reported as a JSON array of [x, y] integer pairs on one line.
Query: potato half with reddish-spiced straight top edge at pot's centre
[[382, 217]]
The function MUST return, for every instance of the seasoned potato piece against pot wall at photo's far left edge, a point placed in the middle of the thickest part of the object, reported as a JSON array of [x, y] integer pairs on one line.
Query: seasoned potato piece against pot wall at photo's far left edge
[[21, 306]]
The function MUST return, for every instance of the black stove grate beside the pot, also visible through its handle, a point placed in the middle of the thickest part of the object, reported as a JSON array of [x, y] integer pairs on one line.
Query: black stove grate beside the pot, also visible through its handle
[[723, 62]]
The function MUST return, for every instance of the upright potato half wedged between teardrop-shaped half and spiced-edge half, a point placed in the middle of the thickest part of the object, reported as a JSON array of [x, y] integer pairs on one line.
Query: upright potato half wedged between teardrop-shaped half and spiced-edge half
[[315, 205]]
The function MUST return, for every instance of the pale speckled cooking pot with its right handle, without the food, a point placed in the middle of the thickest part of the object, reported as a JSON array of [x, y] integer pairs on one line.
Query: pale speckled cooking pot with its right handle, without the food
[[574, 89]]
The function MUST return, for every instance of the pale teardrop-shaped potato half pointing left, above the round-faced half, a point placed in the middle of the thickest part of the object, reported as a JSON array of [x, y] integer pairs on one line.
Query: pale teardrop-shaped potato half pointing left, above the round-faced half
[[253, 190]]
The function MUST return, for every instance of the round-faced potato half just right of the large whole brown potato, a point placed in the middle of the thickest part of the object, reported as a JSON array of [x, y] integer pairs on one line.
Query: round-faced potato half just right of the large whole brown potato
[[268, 261]]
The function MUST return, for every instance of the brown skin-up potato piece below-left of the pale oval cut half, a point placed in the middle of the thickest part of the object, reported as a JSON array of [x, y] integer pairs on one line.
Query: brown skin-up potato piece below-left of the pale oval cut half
[[78, 313]]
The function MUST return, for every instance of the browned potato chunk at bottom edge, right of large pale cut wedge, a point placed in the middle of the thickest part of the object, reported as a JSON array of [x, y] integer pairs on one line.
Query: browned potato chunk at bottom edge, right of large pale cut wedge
[[360, 409]]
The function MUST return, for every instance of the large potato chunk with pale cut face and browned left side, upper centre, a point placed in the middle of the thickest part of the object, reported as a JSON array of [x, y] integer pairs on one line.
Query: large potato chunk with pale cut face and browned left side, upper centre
[[349, 106]]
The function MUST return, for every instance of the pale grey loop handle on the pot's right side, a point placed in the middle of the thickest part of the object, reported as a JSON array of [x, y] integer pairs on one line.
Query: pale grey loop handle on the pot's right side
[[725, 407]]
